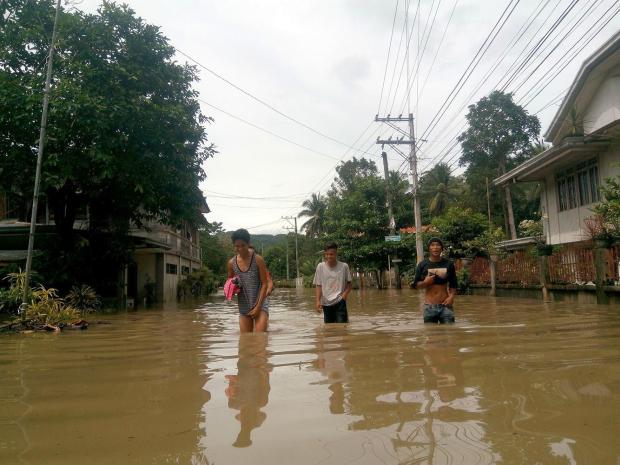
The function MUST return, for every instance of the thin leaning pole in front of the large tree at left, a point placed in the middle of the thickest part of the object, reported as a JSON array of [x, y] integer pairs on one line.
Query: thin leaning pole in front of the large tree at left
[[37, 178]]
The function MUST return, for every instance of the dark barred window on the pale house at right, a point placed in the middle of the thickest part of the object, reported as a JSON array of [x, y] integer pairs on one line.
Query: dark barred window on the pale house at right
[[578, 186]]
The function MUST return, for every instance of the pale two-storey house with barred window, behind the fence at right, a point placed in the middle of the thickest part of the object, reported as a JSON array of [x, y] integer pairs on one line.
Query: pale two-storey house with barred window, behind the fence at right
[[585, 138]]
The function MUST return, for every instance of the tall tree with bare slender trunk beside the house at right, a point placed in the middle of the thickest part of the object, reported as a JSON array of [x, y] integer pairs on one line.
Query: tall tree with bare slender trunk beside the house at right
[[499, 136]]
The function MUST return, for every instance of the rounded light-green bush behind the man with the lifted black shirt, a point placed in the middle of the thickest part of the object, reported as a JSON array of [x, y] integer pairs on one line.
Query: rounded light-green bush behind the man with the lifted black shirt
[[459, 226]]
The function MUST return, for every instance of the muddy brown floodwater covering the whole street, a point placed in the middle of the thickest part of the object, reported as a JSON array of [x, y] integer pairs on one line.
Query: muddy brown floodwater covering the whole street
[[512, 382]]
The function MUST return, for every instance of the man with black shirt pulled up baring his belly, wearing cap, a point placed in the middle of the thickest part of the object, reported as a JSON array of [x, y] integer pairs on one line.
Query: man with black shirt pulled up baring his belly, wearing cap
[[437, 276]]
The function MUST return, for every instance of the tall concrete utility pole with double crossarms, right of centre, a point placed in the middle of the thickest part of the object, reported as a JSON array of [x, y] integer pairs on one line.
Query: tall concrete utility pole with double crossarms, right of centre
[[413, 165]]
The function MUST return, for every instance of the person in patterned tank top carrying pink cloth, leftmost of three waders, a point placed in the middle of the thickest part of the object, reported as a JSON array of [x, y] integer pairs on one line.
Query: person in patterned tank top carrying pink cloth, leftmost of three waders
[[251, 273]]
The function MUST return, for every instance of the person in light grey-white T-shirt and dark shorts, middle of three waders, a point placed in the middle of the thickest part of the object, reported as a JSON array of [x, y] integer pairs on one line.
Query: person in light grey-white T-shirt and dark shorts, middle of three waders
[[333, 284]]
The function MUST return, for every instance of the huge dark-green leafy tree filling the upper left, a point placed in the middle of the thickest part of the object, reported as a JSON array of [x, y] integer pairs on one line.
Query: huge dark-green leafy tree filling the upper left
[[126, 137]]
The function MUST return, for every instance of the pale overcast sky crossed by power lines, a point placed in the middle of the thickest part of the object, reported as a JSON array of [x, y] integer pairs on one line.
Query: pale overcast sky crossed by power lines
[[322, 72]]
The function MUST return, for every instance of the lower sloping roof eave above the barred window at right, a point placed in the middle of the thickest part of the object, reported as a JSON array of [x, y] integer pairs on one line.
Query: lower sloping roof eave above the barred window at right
[[570, 150]]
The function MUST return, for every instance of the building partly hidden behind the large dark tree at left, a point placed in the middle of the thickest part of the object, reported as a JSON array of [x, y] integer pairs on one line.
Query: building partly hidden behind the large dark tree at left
[[162, 255]]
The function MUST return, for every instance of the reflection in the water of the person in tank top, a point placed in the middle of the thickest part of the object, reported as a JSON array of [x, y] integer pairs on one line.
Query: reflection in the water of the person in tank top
[[248, 390]]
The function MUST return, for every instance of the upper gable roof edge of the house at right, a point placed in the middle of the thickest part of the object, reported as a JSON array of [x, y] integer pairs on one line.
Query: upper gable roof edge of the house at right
[[590, 76]]
